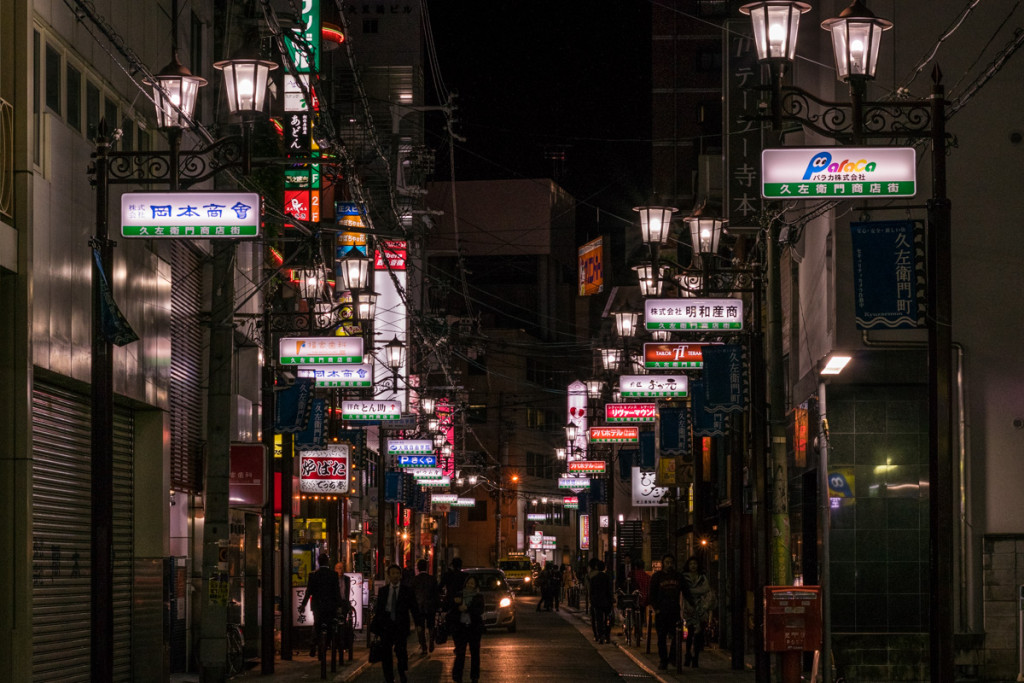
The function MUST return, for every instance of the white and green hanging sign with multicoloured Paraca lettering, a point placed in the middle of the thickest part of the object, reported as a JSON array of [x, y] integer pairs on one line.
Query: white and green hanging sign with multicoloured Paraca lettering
[[810, 174]]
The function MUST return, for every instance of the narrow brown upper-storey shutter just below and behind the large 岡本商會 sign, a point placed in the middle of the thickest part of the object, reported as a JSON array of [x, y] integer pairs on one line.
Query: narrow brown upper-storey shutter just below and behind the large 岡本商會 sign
[[187, 368]]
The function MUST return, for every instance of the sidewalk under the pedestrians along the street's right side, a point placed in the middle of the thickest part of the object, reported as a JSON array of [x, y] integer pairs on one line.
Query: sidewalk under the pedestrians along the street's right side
[[716, 665]]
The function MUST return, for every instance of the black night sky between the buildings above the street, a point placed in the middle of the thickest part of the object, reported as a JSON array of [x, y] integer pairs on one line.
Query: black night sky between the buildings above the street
[[531, 77]]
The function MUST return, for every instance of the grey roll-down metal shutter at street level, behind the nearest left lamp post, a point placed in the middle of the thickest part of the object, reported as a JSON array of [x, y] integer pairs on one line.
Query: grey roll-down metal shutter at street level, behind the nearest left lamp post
[[62, 536]]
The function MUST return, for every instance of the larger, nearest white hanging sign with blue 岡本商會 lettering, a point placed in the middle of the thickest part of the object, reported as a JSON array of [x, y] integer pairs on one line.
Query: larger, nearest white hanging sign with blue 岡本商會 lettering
[[202, 216]]
